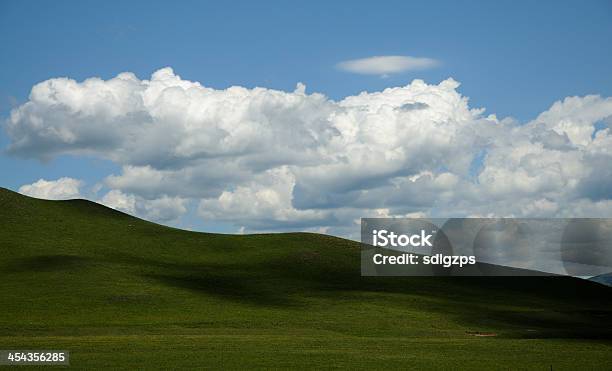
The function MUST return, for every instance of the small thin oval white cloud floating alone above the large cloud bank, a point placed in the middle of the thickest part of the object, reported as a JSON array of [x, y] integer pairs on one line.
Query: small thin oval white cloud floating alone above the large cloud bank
[[387, 64]]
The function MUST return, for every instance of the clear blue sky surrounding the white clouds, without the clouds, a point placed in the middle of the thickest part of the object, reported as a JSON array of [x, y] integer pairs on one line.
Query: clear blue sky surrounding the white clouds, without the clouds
[[512, 58]]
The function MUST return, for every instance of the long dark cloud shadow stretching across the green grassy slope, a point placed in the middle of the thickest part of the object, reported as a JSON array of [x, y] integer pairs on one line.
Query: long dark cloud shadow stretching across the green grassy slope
[[536, 307]]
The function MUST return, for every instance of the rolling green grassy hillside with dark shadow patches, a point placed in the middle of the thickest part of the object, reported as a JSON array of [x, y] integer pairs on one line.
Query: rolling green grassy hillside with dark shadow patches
[[124, 293]]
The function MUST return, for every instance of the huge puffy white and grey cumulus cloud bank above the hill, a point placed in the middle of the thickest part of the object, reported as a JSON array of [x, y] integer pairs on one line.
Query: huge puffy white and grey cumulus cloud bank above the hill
[[267, 160]]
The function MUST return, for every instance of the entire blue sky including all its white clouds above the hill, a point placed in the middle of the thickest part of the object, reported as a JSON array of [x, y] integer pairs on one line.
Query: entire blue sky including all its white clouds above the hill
[[168, 141]]
